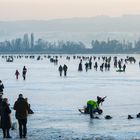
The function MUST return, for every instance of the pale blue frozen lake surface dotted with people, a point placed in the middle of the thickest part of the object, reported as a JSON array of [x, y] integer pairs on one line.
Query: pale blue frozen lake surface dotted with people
[[56, 100]]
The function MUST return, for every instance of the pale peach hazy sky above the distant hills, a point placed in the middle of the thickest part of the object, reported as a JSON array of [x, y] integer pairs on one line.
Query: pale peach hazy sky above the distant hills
[[52, 9]]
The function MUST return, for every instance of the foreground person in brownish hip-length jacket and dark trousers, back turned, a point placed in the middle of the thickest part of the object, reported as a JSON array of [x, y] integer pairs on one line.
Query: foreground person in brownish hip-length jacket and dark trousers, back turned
[[21, 106]]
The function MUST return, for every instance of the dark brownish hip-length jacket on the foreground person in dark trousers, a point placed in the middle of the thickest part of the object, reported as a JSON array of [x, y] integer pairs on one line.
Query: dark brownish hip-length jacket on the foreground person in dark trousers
[[21, 107]]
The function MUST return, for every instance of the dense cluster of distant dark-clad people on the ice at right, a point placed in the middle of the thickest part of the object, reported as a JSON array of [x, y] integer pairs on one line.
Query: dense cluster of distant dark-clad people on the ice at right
[[104, 63]]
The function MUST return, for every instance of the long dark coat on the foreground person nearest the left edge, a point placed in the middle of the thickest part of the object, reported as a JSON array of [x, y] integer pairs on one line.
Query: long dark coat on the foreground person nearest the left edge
[[5, 116]]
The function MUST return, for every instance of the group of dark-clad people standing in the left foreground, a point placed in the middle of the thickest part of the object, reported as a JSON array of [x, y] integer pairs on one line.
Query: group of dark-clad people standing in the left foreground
[[22, 109]]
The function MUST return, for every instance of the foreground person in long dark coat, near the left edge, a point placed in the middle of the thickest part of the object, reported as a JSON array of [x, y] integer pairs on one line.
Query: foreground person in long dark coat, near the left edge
[[5, 118]]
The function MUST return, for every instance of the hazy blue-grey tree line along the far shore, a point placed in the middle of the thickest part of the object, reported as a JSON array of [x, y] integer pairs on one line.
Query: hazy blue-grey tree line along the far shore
[[27, 45]]
